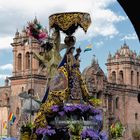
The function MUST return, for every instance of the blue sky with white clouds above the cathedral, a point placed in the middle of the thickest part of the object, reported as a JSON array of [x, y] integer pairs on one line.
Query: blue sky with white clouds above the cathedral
[[110, 27]]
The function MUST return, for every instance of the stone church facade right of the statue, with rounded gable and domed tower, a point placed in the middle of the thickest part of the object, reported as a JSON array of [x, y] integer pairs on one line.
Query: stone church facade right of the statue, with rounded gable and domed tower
[[119, 89]]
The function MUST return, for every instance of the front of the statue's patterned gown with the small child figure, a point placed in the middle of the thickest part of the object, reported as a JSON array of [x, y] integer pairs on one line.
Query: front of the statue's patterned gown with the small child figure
[[77, 87]]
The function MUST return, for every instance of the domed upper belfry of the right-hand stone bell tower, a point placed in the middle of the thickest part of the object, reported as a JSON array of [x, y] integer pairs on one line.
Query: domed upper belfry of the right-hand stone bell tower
[[124, 67]]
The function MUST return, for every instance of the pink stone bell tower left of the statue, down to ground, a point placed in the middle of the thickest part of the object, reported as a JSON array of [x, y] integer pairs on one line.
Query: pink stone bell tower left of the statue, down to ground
[[25, 73]]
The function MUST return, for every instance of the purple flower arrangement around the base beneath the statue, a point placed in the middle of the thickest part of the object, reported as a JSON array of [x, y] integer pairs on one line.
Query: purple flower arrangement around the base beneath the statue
[[69, 111]]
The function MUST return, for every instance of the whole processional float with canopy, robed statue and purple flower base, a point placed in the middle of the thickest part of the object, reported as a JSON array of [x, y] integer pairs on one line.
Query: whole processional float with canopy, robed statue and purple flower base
[[67, 112]]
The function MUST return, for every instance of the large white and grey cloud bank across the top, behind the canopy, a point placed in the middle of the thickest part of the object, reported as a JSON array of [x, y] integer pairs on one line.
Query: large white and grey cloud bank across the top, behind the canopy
[[15, 15]]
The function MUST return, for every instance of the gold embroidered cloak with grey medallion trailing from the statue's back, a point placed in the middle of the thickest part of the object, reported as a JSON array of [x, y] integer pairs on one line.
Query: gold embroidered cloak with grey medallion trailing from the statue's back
[[55, 95]]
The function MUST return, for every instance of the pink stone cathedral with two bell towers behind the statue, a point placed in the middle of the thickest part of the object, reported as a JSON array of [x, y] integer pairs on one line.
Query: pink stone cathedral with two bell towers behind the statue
[[118, 90]]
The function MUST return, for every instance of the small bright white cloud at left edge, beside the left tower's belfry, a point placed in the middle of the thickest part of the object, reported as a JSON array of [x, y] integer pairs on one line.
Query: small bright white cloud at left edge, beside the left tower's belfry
[[5, 42]]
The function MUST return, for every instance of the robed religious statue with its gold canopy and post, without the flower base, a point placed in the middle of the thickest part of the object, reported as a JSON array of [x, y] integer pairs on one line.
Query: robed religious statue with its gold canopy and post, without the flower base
[[66, 84]]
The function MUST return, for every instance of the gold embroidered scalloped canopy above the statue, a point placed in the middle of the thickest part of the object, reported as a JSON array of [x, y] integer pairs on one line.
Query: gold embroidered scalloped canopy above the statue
[[70, 21]]
